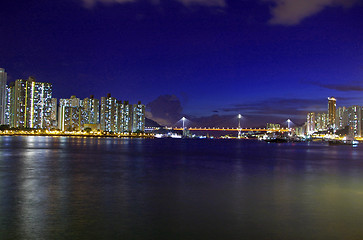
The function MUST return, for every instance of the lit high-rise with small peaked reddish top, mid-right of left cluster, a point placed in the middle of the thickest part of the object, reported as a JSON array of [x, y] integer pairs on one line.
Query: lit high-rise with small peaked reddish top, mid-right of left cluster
[[109, 114]]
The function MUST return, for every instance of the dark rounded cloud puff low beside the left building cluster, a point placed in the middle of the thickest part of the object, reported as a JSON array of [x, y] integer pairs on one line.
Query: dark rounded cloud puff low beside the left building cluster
[[165, 110]]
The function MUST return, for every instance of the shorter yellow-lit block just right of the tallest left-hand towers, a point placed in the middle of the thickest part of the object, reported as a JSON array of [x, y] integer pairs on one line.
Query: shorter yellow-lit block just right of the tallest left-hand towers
[[71, 116]]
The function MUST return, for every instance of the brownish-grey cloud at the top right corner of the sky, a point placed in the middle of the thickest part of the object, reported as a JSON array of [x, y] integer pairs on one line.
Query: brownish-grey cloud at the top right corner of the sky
[[292, 12]]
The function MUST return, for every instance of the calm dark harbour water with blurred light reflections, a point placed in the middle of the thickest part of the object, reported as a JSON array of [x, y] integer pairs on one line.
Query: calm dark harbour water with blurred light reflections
[[91, 188]]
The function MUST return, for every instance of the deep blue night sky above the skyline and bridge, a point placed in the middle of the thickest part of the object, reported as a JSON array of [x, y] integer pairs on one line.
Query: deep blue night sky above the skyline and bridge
[[206, 59]]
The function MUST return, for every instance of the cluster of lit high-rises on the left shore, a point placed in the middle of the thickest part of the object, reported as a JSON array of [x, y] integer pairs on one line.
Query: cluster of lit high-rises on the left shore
[[28, 104]]
